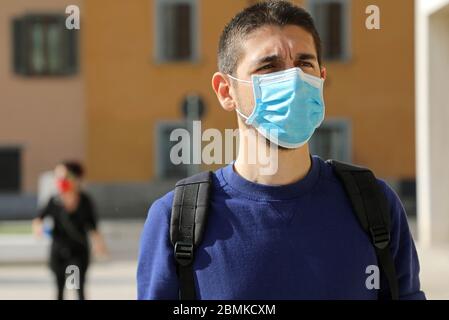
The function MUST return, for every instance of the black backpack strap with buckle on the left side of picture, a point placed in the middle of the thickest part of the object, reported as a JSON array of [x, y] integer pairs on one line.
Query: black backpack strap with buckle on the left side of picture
[[188, 220]]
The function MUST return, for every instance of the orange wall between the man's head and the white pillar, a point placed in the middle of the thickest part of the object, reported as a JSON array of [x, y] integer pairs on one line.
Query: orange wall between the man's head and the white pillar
[[375, 88]]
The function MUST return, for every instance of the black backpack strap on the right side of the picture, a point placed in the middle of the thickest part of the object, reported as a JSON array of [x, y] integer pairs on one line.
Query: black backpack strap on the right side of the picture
[[371, 208]]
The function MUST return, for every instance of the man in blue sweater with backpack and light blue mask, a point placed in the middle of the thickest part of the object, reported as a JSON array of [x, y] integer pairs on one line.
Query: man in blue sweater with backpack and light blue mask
[[295, 234]]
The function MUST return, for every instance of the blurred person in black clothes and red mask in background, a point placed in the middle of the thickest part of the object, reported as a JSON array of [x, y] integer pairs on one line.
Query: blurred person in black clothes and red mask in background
[[74, 219]]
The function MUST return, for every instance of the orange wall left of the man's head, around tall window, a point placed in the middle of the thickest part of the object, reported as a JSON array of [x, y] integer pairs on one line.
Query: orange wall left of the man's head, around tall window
[[127, 92]]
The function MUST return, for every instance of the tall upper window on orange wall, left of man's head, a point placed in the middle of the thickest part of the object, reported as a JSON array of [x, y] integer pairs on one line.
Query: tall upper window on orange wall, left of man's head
[[176, 34]]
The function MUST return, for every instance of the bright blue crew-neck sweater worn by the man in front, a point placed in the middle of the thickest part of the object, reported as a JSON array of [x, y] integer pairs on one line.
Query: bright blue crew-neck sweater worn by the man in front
[[297, 241]]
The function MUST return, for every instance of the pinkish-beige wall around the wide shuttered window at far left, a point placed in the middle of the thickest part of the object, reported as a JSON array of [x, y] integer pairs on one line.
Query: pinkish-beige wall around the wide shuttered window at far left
[[42, 115]]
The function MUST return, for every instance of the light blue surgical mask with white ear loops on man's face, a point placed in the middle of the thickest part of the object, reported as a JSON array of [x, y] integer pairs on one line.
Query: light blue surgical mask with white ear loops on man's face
[[289, 106]]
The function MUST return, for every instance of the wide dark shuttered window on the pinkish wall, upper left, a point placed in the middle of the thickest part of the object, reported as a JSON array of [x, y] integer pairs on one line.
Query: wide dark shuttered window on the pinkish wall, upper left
[[44, 46]]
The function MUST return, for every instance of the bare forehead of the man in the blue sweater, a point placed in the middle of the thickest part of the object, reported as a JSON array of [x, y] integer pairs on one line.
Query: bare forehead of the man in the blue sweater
[[286, 42]]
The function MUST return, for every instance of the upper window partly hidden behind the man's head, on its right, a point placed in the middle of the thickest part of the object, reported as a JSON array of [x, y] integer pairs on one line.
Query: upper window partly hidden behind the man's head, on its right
[[331, 19]]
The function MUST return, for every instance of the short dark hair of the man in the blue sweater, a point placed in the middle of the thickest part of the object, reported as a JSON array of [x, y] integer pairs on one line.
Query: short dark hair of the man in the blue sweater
[[271, 12]]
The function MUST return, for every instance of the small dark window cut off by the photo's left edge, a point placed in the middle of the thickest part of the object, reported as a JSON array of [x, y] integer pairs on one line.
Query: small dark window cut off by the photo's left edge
[[9, 170]]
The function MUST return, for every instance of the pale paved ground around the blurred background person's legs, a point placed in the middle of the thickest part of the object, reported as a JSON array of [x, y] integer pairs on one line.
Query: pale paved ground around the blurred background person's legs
[[24, 273]]
